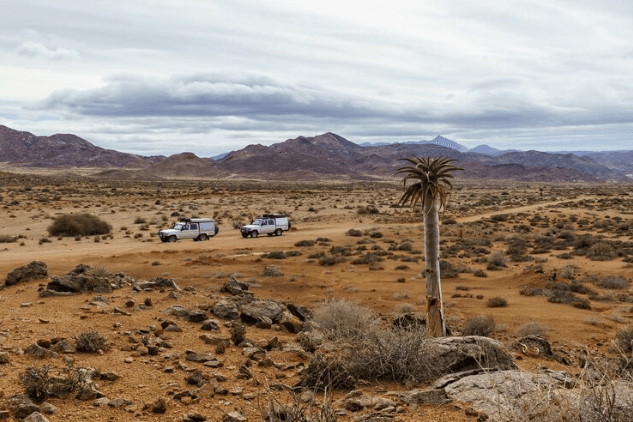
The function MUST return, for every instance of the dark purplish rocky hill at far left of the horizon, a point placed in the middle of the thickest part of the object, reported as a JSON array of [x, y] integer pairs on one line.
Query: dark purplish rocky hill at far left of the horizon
[[62, 150]]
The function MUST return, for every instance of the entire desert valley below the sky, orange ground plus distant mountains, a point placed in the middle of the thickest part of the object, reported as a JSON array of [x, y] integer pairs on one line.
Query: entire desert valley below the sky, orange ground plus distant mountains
[[327, 321]]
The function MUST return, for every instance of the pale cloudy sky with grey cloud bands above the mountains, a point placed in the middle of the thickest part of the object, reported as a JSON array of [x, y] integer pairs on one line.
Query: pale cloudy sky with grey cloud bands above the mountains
[[211, 76]]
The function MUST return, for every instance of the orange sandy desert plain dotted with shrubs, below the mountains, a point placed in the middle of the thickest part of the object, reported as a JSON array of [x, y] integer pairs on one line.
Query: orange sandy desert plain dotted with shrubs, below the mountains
[[553, 257]]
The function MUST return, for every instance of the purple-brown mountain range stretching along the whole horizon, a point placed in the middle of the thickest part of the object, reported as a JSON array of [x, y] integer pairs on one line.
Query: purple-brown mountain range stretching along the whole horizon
[[326, 156]]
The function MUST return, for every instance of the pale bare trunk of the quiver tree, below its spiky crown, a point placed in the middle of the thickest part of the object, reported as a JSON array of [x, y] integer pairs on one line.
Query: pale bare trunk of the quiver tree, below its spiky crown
[[435, 310]]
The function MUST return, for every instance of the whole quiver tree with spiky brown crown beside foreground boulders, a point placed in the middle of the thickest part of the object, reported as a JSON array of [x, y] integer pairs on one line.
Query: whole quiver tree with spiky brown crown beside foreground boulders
[[431, 187]]
